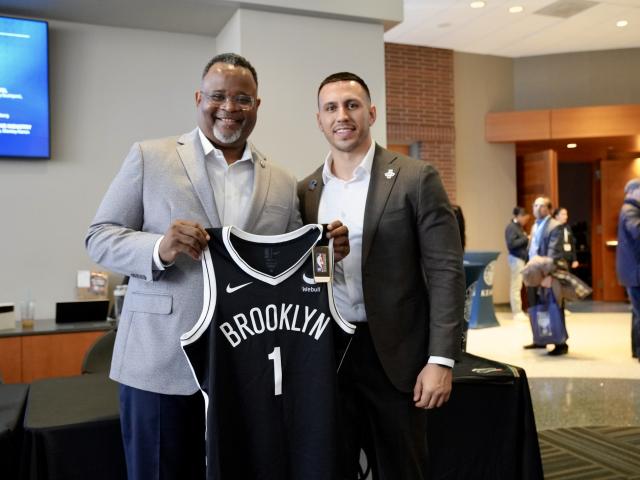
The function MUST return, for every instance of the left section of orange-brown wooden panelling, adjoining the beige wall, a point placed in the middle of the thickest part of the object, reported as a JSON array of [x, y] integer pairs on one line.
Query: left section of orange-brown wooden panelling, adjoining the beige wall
[[517, 126]]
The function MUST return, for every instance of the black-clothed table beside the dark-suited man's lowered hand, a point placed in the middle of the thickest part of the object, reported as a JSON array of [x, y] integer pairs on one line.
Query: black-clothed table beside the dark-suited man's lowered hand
[[487, 429]]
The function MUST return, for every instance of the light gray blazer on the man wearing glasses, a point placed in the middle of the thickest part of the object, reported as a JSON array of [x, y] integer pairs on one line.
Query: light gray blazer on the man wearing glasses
[[162, 181]]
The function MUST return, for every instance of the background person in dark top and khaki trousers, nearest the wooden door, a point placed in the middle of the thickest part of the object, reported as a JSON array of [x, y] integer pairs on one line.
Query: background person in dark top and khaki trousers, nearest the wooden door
[[517, 243]]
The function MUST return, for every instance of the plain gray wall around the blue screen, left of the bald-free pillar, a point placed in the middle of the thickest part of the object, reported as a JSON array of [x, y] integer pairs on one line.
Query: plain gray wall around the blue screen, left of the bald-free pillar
[[109, 88]]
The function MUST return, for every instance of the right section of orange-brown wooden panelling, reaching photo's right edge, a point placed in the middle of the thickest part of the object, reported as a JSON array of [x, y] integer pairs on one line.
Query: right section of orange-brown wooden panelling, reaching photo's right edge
[[603, 121]]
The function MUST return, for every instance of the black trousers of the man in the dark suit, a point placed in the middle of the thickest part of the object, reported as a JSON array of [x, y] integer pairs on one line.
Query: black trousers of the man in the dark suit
[[375, 416]]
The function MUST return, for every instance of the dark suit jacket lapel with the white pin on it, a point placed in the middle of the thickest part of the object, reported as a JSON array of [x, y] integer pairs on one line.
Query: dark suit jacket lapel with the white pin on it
[[383, 177]]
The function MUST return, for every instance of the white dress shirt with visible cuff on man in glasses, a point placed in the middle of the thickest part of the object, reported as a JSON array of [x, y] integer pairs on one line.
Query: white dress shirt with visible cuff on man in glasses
[[232, 188]]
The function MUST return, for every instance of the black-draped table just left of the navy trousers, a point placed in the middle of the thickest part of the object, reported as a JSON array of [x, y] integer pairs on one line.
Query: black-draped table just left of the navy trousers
[[72, 430]]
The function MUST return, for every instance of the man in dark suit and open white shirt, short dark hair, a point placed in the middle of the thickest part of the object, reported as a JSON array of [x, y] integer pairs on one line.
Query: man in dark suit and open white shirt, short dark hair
[[403, 282]]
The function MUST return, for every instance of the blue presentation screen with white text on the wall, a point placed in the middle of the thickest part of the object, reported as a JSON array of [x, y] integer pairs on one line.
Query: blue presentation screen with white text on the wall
[[24, 88]]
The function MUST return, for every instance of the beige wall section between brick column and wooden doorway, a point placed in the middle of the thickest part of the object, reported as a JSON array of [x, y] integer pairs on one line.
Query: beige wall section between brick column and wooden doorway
[[485, 172]]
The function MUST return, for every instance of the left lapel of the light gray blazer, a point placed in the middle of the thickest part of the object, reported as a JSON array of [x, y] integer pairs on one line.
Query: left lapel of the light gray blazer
[[192, 156]]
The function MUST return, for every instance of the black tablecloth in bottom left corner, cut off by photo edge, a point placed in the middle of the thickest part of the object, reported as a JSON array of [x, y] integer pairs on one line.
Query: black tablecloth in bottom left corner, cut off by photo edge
[[12, 402]]
